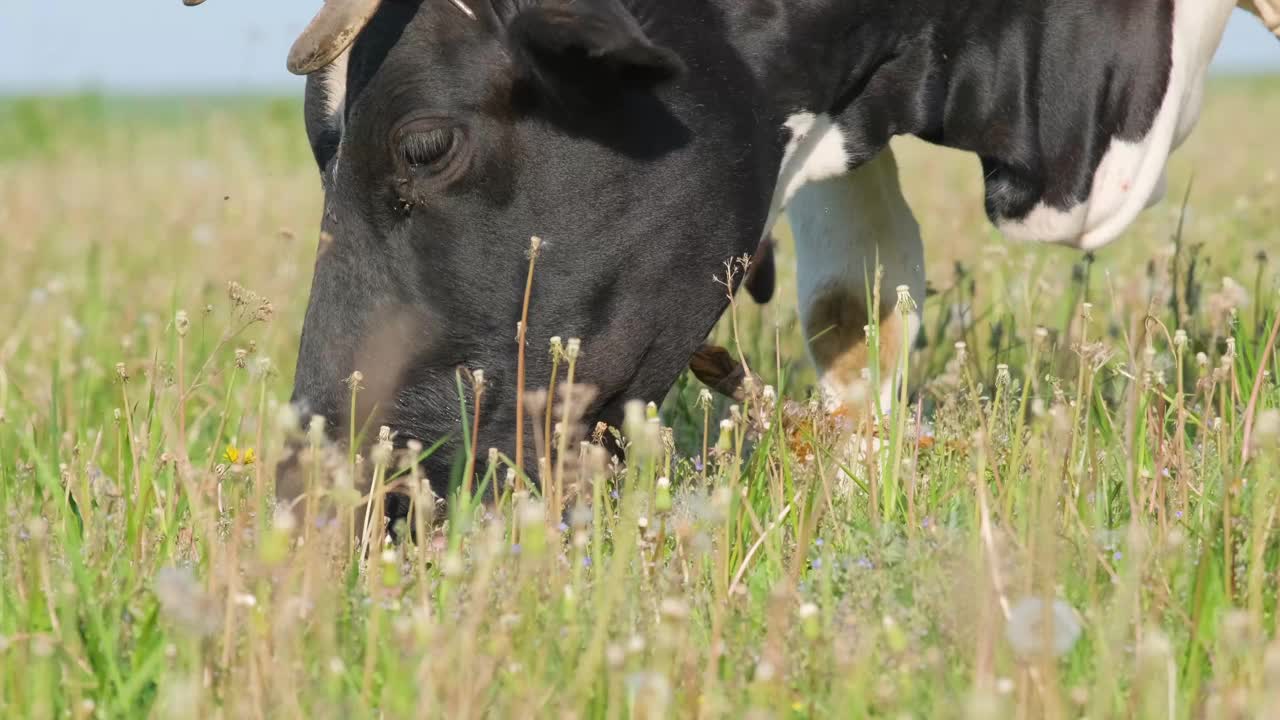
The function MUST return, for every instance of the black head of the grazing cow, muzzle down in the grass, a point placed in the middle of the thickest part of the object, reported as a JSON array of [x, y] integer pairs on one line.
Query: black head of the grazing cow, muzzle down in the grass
[[447, 135]]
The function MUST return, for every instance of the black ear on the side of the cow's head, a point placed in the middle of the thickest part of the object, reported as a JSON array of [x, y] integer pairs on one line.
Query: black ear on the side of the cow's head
[[595, 44]]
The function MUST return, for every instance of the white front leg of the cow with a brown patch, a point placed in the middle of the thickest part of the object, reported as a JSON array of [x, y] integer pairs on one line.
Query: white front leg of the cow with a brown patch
[[844, 227]]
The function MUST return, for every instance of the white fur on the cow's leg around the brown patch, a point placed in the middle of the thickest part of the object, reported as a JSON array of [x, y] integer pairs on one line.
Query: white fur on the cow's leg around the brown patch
[[843, 227]]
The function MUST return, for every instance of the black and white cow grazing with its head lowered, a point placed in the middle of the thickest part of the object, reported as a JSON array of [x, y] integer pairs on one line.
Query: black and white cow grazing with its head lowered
[[647, 142]]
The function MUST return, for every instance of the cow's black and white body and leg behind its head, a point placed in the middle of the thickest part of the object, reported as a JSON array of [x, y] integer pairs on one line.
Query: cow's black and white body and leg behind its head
[[1072, 107]]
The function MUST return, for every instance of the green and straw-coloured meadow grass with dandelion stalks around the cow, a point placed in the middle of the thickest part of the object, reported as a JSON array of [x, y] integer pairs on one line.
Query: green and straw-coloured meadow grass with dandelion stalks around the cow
[[1081, 535]]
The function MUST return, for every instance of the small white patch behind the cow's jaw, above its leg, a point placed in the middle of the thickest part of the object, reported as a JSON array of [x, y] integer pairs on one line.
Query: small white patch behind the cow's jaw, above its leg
[[816, 152]]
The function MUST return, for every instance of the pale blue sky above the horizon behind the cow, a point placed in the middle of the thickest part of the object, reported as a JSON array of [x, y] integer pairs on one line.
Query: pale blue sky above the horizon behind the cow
[[162, 47]]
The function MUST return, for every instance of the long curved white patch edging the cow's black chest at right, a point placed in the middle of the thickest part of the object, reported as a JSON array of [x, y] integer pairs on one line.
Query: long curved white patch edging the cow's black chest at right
[[1132, 175]]
